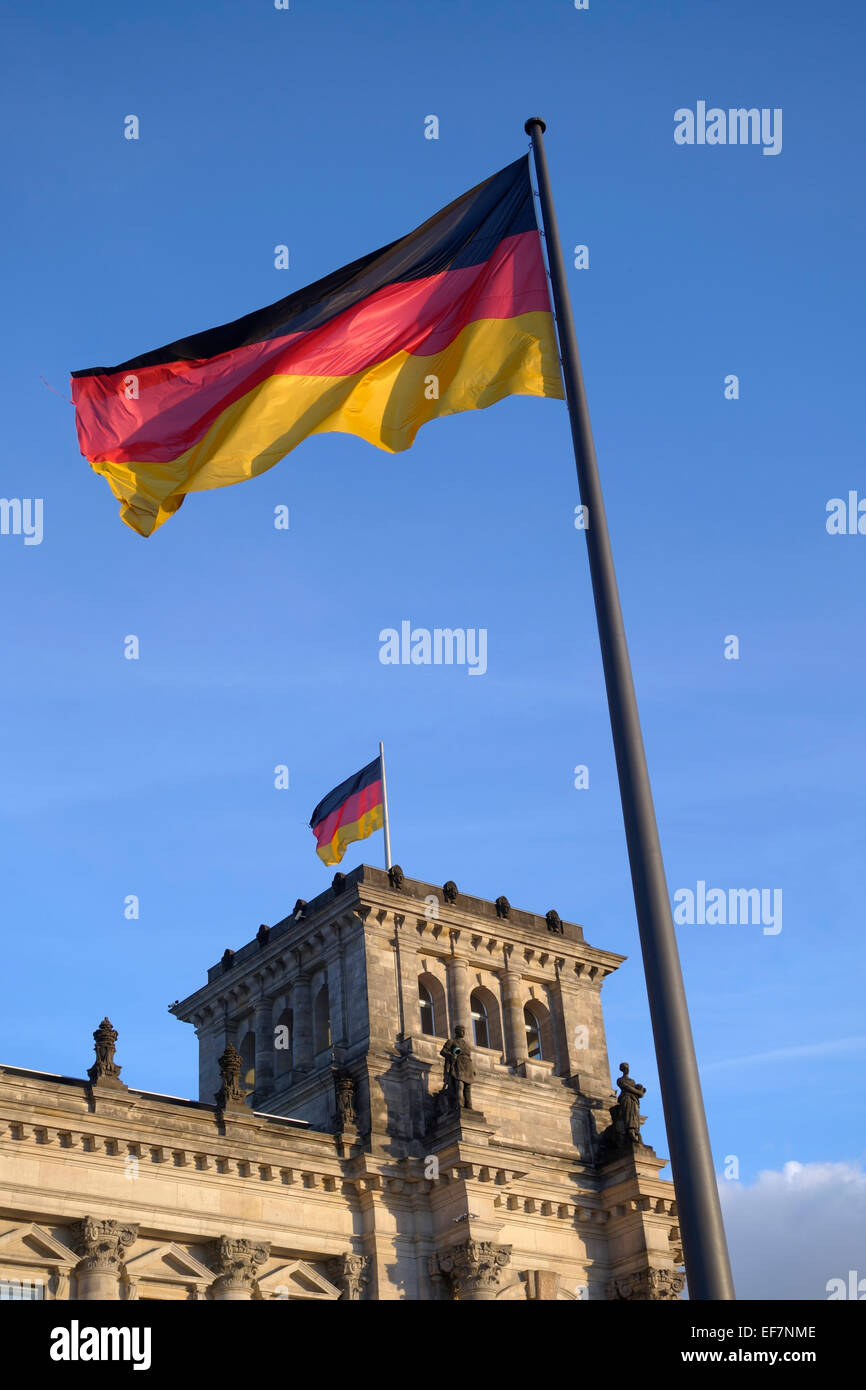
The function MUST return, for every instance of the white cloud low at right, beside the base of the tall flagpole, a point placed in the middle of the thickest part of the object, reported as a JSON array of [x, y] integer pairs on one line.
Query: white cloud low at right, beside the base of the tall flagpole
[[793, 1231]]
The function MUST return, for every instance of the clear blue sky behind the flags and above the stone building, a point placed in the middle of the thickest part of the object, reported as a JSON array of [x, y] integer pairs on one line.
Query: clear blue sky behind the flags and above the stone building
[[261, 647]]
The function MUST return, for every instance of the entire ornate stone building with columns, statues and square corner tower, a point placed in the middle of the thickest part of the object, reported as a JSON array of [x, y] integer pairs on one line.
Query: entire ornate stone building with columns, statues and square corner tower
[[326, 1157]]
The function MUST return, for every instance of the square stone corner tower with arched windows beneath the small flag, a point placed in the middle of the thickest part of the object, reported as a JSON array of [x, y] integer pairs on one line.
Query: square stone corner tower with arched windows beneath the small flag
[[340, 1015]]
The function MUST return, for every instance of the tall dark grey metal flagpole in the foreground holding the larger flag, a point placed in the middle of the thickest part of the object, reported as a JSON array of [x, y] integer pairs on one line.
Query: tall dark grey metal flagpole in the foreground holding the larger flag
[[700, 1216]]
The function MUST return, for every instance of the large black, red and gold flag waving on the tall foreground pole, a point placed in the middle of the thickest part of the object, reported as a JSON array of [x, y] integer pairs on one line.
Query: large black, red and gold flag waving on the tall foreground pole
[[452, 318]]
